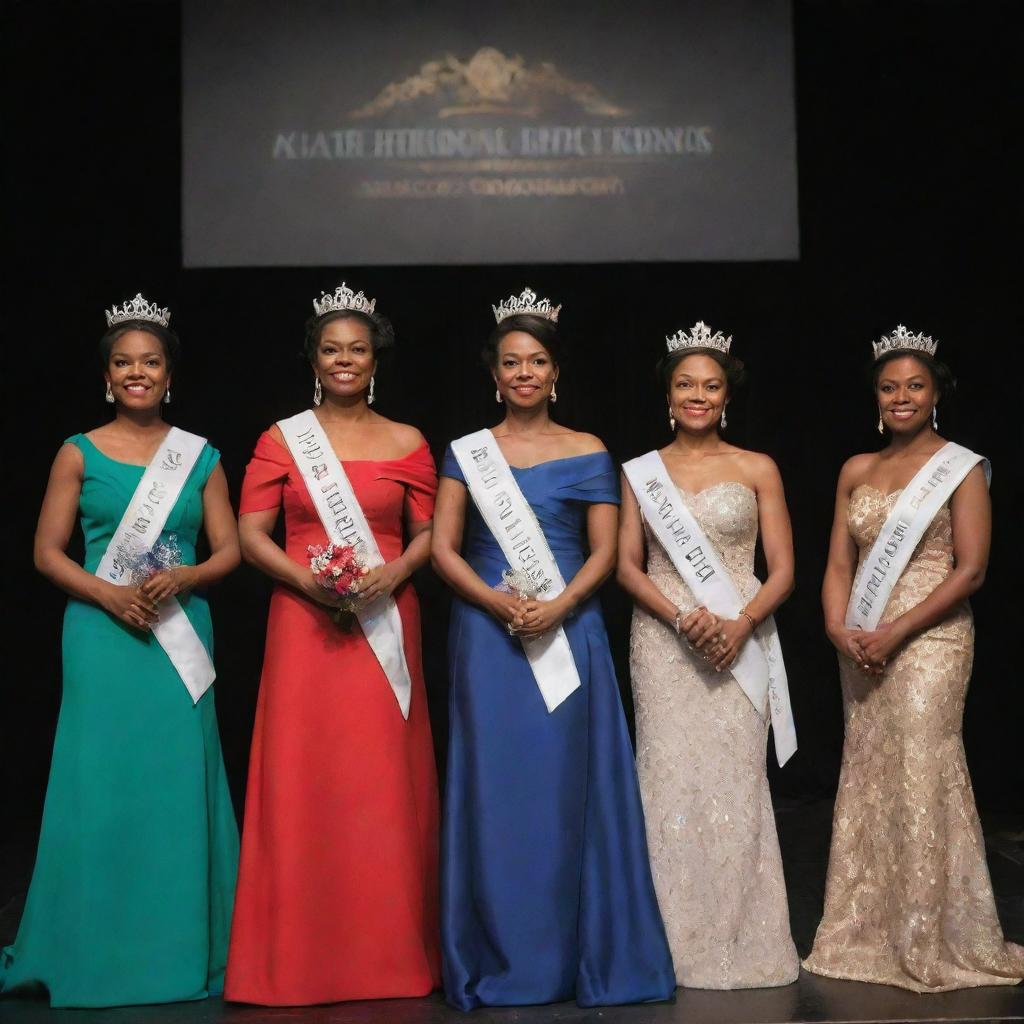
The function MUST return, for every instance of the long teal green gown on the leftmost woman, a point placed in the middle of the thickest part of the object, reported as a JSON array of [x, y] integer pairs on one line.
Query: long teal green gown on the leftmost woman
[[132, 897]]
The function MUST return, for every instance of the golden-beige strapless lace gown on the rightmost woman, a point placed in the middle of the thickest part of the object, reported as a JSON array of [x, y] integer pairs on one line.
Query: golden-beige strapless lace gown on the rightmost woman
[[909, 900]]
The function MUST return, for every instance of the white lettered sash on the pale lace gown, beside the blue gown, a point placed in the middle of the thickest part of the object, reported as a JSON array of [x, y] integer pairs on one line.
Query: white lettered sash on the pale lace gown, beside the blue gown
[[759, 669]]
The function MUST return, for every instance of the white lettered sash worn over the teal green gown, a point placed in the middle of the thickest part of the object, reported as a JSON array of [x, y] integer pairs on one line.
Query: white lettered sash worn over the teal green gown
[[139, 531]]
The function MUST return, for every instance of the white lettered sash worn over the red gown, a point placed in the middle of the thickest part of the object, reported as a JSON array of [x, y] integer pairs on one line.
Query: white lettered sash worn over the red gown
[[345, 522]]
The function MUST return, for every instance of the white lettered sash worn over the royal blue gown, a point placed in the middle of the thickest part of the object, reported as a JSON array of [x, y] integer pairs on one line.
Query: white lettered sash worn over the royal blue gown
[[515, 527]]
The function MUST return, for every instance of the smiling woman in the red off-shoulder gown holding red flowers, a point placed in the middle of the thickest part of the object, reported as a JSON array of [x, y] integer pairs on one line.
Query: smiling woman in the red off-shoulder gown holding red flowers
[[337, 891]]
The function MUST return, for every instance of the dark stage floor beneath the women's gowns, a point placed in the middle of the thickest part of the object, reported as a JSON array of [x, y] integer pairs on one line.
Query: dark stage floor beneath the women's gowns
[[804, 830]]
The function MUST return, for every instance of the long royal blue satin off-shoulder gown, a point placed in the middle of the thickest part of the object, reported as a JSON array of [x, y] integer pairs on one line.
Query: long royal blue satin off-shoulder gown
[[546, 887]]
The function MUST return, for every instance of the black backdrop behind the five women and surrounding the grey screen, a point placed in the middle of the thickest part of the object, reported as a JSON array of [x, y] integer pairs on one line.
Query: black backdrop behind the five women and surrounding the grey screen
[[904, 116]]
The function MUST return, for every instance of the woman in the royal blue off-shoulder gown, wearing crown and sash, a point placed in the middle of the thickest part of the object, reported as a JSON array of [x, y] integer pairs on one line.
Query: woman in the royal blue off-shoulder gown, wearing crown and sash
[[546, 886]]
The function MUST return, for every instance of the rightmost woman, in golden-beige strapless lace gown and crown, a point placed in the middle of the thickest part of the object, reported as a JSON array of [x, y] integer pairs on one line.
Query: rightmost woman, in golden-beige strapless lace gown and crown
[[909, 901]]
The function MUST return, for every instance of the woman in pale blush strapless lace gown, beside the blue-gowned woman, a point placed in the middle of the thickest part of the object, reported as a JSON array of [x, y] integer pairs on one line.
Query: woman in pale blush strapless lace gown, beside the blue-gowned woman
[[702, 721]]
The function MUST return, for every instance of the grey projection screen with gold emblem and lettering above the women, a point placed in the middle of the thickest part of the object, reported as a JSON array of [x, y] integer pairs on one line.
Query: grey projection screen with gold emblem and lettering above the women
[[402, 133]]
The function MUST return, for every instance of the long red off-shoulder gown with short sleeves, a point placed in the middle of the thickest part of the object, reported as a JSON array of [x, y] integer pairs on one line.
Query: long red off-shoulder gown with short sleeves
[[337, 894]]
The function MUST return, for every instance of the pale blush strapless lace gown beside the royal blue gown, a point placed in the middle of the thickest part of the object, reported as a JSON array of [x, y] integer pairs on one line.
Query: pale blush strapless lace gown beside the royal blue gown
[[701, 759]]
